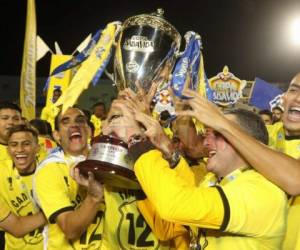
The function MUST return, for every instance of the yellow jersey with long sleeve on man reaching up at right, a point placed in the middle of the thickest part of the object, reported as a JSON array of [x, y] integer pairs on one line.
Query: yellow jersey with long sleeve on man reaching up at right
[[246, 210]]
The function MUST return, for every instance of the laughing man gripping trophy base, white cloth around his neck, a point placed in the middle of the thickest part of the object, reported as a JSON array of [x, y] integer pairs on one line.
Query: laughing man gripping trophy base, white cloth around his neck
[[73, 213]]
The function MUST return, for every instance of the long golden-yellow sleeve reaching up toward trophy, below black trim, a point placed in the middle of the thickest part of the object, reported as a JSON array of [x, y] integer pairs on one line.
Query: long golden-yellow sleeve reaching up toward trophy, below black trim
[[176, 200]]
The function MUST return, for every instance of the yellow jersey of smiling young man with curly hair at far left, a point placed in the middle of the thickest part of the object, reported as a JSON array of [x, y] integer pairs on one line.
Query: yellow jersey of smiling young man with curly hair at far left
[[16, 192]]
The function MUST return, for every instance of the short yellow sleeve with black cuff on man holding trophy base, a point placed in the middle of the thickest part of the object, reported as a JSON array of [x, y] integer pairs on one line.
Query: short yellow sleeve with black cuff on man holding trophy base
[[51, 190]]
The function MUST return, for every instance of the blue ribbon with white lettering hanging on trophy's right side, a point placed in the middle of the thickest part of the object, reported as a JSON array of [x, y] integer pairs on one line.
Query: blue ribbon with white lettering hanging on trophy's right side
[[188, 63]]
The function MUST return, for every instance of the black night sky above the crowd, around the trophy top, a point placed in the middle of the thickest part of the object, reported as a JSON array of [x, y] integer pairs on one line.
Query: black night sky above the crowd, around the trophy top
[[247, 35]]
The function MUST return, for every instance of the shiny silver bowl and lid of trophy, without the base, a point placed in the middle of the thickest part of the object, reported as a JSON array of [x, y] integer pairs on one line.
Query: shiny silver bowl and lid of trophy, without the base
[[147, 45]]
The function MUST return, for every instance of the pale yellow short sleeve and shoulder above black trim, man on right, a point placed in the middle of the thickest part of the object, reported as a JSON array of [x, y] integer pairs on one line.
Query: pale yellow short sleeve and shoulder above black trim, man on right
[[257, 206]]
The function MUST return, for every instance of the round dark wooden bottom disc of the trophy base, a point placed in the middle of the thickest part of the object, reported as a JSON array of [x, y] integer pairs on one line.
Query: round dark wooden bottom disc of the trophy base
[[109, 174]]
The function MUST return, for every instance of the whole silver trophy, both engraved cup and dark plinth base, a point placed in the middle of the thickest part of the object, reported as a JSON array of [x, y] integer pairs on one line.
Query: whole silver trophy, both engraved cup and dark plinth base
[[146, 47]]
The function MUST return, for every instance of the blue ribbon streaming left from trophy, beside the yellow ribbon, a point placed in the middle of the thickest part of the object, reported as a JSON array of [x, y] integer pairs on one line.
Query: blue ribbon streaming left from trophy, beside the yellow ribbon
[[78, 59]]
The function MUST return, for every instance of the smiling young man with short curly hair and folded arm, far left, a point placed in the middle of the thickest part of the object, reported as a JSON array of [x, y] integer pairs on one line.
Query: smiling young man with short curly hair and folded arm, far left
[[16, 191]]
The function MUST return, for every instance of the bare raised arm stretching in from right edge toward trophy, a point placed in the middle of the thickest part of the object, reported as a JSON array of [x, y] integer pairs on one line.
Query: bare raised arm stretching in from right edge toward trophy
[[279, 168]]
